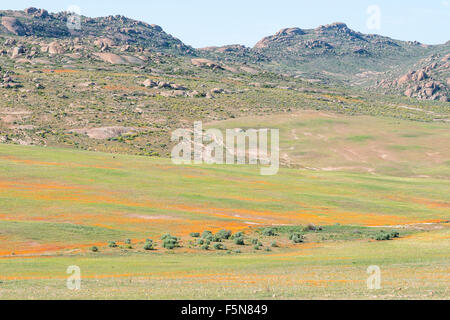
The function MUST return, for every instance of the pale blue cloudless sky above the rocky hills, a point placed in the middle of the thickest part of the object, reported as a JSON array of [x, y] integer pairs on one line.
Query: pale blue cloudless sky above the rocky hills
[[202, 23]]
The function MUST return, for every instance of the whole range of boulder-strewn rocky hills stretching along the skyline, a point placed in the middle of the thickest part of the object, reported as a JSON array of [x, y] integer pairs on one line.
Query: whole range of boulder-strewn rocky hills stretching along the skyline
[[331, 54]]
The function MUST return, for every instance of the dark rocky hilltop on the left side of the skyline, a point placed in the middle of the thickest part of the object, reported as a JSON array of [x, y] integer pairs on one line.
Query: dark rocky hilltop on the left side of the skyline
[[117, 29]]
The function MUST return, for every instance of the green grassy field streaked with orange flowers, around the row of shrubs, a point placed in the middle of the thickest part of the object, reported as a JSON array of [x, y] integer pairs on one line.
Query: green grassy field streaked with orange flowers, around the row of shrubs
[[56, 204]]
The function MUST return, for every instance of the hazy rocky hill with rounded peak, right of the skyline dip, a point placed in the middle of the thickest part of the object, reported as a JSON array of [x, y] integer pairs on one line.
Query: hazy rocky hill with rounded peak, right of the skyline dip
[[336, 52]]
